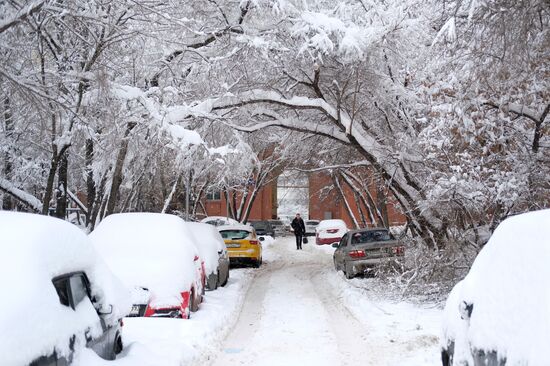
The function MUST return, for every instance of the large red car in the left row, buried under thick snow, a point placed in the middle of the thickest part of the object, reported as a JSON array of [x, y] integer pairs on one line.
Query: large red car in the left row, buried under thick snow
[[155, 256]]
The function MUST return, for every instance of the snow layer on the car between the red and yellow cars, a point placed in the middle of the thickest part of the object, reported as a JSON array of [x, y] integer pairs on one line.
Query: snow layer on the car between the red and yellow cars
[[209, 242]]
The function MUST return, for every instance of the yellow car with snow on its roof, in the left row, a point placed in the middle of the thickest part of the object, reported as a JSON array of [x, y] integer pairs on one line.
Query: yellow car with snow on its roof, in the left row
[[242, 244]]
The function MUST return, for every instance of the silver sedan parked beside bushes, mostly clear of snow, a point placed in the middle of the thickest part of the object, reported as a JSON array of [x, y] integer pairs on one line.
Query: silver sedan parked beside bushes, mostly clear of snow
[[359, 251]]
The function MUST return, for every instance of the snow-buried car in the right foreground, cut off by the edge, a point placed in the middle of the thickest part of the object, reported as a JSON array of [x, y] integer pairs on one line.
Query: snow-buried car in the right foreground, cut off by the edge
[[499, 314]]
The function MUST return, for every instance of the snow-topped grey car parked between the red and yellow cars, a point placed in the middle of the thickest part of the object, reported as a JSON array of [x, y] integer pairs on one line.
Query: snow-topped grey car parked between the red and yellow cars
[[214, 253]]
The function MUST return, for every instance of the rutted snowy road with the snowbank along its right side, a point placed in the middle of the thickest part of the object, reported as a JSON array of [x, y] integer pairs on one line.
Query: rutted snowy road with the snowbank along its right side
[[298, 312]]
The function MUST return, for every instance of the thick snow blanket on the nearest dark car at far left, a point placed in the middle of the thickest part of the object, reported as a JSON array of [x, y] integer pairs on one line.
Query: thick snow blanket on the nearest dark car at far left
[[35, 249]]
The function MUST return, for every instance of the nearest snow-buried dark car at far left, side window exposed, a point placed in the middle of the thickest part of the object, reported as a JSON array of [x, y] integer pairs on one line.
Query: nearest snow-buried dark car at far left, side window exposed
[[58, 296]]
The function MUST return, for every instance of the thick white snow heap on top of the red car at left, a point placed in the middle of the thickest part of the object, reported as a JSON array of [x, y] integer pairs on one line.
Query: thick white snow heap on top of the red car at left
[[149, 250]]
